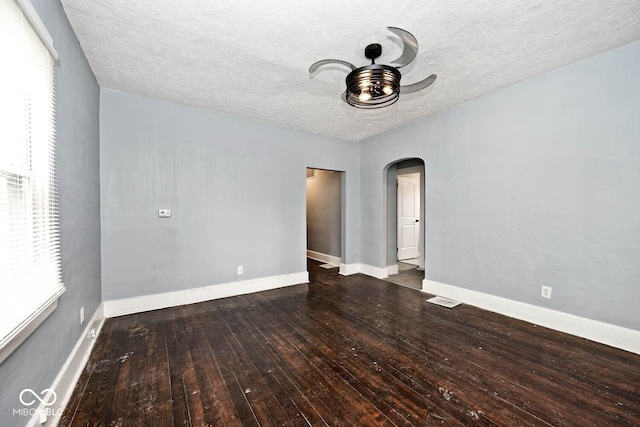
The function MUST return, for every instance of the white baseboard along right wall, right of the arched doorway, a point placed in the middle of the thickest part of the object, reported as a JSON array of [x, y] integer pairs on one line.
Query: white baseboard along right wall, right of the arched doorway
[[604, 333]]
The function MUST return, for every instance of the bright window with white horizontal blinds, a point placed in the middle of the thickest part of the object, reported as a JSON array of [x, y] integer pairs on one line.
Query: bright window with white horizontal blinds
[[30, 278]]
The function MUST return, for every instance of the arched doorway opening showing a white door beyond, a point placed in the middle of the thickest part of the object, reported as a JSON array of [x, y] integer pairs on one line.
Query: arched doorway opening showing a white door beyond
[[405, 222]]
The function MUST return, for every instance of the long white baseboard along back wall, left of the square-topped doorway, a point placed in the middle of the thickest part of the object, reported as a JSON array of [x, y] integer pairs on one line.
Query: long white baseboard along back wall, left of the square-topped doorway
[[132, 305]]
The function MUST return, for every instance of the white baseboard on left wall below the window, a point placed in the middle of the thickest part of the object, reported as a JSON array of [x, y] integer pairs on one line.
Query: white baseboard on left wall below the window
[[69, 374]]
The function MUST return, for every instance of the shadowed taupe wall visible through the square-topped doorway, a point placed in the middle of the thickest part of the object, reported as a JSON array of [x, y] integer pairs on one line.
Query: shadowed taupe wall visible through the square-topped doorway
[[323, 212]]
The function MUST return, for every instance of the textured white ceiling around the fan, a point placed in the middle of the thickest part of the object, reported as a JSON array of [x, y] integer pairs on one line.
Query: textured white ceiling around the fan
[[251, 59]]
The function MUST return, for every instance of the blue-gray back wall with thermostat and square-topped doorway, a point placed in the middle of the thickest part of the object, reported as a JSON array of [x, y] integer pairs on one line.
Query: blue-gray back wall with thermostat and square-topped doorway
[[236, 188]]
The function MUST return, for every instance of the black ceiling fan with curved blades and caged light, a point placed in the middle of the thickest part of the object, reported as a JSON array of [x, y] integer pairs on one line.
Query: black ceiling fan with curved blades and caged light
[[376, 85]]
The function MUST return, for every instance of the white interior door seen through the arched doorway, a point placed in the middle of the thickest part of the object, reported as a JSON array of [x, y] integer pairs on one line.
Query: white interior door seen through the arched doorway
[[408, 216]]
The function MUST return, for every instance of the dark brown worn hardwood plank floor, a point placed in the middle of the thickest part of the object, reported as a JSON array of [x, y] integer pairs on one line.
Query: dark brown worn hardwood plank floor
[[353, 351]]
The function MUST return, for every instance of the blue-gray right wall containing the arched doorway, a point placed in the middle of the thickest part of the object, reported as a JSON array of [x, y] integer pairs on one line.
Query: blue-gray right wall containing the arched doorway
[[535, 184]]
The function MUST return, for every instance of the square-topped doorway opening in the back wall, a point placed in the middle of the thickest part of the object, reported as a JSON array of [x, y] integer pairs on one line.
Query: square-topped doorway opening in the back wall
[[325, 217]]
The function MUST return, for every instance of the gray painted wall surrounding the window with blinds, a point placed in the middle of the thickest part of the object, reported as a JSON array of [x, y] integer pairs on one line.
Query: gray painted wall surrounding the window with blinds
[[38, 360]]
